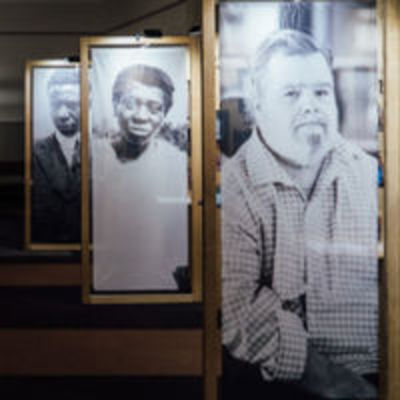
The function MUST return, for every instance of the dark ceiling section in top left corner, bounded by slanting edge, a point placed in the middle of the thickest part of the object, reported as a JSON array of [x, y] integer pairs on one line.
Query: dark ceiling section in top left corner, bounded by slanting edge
[[81, 17]]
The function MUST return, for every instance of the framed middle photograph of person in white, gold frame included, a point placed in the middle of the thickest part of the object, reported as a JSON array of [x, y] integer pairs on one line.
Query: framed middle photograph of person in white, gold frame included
[[144, 154]]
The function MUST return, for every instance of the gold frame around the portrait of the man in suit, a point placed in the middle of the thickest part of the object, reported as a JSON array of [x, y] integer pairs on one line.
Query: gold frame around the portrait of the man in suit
[[29, 67]]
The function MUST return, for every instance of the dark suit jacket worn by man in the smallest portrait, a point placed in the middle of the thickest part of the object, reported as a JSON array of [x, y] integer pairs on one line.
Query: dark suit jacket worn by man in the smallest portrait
[[56, 194]]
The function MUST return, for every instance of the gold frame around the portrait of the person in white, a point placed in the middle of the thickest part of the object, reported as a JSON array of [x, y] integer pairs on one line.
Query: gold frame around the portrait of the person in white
[[193, 46]]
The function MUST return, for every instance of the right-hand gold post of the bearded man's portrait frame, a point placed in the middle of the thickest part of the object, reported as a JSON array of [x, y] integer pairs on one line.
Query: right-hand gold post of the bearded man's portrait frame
[[391, 276]]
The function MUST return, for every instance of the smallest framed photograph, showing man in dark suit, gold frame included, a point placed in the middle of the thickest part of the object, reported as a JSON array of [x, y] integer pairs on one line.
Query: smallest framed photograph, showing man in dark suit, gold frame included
[[52, 156]]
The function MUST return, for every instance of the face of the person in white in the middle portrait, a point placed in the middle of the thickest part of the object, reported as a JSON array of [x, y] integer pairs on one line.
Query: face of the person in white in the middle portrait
[[140, 110]]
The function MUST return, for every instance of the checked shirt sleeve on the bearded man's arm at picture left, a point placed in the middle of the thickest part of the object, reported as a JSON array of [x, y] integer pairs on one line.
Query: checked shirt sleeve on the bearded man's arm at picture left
[[256, 328]]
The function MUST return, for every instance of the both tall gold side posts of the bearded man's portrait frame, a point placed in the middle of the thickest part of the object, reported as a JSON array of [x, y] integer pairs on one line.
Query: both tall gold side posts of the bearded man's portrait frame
[[388, 15]]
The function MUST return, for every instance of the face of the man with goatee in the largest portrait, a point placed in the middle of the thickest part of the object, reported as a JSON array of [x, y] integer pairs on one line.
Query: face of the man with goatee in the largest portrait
[[296, 108]]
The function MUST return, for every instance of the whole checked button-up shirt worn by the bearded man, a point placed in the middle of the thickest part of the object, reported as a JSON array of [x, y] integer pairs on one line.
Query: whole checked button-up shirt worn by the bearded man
[[298, 270]]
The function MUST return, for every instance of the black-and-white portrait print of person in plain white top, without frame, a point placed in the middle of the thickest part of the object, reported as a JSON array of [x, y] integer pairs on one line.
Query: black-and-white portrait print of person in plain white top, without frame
[[140, 169]]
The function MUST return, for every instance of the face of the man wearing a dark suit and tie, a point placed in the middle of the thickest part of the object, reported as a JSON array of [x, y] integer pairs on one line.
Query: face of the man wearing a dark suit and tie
[[65, 108]]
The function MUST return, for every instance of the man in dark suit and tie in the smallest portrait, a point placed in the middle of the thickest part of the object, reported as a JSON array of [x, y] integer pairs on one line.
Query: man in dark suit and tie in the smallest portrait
[[56, 204]]
